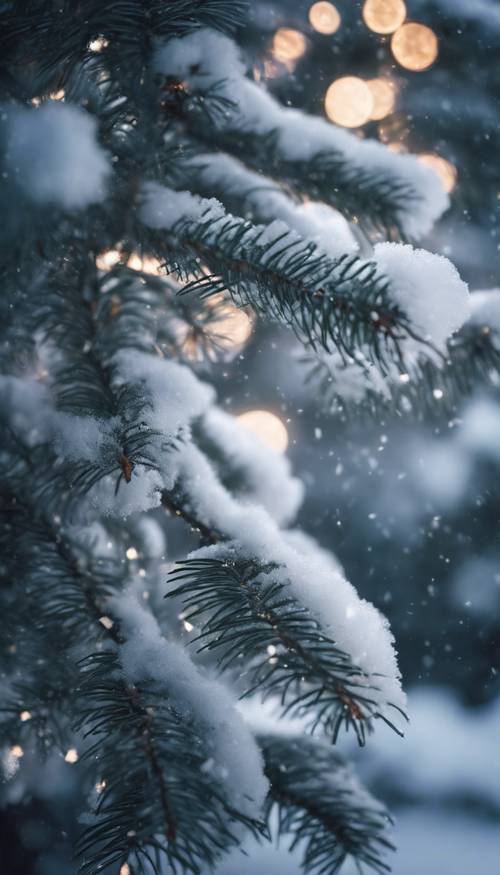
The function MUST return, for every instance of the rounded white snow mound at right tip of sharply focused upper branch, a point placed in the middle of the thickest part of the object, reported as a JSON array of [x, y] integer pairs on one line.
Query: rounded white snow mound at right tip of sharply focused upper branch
[[428, 289]]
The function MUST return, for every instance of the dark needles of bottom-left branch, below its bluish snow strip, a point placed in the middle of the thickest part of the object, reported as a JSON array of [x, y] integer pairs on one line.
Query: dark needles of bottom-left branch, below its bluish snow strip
[[158, 786]]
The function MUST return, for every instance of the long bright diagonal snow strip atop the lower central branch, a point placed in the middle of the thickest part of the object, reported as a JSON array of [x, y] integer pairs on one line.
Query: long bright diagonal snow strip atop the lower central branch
[[355, 625]]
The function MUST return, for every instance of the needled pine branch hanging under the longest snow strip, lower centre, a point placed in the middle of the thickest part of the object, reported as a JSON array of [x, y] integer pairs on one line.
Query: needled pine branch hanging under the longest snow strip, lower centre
[[240, 610]]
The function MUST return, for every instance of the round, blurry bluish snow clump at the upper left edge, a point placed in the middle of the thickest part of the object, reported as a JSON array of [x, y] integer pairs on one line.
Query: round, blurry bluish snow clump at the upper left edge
[[55, 156]]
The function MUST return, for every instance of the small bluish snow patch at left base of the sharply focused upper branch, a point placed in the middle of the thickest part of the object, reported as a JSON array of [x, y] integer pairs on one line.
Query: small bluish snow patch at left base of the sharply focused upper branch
[[162, 207]]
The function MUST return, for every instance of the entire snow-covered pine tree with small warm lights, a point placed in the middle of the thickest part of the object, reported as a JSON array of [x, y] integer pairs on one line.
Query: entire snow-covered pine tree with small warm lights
[[148, 185]]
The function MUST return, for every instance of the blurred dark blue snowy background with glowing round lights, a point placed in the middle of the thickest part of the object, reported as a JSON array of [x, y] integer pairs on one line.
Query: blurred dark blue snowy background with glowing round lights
[[409, 505]]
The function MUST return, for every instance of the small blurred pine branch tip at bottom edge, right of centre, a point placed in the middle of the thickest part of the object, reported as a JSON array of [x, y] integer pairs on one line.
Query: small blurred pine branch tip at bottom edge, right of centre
[[322, 806]]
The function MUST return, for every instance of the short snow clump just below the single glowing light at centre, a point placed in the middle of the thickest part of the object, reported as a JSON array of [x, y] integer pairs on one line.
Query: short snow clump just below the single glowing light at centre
[[266, 475]]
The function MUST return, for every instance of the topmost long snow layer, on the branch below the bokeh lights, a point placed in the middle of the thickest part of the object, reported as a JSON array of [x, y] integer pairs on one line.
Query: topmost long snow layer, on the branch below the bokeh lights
[[206, 58]]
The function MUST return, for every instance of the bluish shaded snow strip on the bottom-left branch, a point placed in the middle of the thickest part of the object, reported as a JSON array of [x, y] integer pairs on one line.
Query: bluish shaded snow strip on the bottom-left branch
[[147, 655]]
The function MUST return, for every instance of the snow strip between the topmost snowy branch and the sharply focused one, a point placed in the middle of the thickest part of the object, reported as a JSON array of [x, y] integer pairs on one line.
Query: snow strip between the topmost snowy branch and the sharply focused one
[[316, 222]]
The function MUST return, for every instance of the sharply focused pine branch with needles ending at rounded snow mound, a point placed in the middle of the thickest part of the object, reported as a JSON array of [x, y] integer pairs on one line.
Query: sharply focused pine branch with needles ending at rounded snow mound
[[341, 304]]
